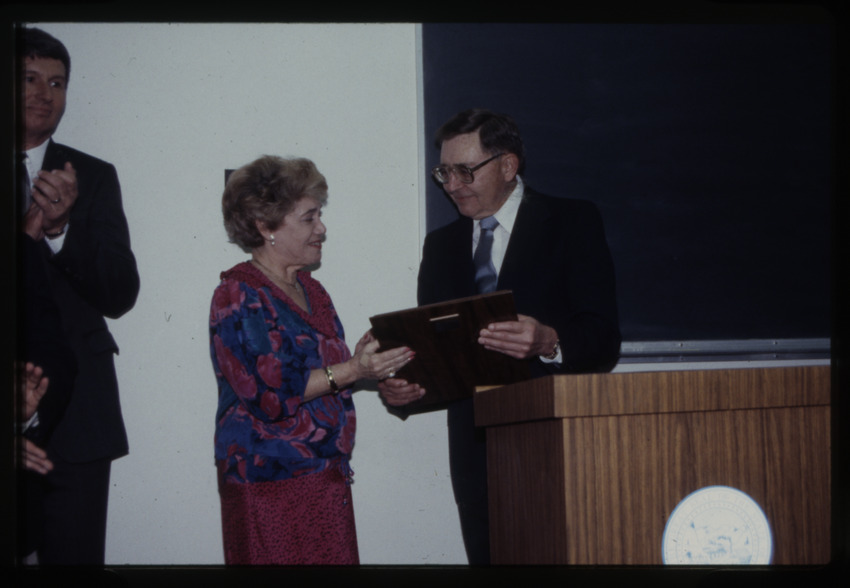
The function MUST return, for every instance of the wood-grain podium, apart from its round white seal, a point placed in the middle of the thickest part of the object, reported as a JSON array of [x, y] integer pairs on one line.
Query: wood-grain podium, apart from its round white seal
[[587, 469]]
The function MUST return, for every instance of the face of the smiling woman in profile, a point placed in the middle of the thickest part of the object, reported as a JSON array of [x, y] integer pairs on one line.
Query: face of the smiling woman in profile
[[298, 240]]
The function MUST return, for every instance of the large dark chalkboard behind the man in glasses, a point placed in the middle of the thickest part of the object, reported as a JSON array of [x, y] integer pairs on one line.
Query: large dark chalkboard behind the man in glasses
[[706, 147]]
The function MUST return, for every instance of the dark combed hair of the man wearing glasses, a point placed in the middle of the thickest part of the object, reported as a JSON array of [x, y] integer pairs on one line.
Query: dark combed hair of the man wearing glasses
[[497, 132]]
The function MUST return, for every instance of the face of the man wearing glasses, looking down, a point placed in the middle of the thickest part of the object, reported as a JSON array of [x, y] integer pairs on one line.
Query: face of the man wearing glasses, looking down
[[492, 184]]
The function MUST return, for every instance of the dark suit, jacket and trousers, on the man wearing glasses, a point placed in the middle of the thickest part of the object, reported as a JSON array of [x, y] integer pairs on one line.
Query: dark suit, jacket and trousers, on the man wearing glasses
[[559, 268]]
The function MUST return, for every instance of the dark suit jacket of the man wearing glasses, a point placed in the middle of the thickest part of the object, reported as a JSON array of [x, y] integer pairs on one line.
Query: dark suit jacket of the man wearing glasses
[[559, 268]]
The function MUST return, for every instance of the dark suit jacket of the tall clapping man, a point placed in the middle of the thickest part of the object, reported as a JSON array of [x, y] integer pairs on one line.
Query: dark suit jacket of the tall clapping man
[[92, 277]]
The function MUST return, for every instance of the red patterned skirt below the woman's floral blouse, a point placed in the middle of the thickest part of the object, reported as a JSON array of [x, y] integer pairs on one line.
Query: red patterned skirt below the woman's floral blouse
[[307, 520]]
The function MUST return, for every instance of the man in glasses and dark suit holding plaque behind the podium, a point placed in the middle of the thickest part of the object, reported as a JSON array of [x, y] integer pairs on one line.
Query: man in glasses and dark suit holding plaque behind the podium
[[551, 252]]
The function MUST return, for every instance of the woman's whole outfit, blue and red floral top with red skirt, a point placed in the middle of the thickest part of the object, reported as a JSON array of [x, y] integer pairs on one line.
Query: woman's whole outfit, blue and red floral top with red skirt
[[269, 443]]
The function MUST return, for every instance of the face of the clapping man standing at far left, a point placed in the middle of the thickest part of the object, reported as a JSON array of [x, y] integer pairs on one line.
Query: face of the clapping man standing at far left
[[45, 85]]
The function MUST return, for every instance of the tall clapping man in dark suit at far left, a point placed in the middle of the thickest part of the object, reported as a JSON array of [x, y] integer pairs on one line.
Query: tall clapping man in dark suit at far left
[[76, 219]]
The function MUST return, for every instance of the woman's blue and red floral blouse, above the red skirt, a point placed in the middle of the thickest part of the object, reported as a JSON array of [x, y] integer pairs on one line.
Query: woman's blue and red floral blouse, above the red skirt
[[263, 347]]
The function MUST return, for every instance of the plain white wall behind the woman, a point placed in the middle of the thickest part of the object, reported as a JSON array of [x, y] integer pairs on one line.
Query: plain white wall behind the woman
[[173, 106]]
